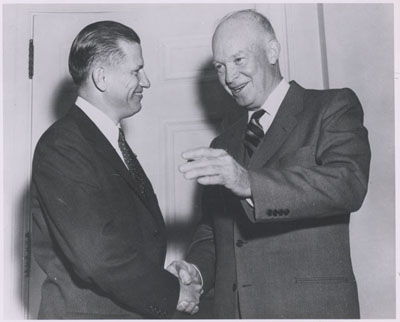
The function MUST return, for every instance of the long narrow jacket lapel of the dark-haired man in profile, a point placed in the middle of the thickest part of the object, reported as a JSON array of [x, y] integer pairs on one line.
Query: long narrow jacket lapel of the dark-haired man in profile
[[106, 150]]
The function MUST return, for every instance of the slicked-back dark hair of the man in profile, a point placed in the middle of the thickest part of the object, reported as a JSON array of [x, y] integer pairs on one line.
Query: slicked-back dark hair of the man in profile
[[98, 42]]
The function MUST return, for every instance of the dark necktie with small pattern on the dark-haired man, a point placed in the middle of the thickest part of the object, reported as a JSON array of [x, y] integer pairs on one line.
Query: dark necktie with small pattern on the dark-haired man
[[143, 183]]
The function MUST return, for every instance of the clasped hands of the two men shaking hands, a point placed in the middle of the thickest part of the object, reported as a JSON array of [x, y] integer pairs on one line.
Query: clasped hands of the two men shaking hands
[[191, 287]]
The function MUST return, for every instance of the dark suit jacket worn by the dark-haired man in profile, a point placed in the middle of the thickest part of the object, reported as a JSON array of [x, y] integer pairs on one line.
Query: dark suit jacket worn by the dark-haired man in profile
[[101, 246]]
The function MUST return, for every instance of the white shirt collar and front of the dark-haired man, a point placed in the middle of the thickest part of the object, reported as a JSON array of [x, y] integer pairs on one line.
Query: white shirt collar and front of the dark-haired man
[[101, 120]]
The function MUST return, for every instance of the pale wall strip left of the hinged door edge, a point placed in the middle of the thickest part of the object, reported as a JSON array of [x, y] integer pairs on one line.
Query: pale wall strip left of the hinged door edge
[[17, 138]]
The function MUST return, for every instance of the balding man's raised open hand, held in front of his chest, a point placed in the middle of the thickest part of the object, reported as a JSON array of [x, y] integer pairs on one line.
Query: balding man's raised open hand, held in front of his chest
[[216, 167]]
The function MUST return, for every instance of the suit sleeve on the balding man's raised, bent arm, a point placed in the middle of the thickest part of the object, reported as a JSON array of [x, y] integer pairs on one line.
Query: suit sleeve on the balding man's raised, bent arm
[[335, 183]]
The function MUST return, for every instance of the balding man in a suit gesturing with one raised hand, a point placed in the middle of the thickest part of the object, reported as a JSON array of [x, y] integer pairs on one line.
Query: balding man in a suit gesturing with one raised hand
[[280, 184]]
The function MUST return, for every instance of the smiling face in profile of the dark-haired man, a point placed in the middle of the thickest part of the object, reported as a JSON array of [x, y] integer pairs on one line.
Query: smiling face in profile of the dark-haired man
[[125, 82]]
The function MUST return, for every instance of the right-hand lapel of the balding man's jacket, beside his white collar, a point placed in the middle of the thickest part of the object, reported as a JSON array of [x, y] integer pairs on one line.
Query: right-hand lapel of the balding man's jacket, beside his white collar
[[284, 122]]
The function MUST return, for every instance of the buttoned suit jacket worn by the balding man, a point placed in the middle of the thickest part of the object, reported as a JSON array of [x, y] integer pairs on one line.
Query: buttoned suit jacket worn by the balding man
[[289, 256]]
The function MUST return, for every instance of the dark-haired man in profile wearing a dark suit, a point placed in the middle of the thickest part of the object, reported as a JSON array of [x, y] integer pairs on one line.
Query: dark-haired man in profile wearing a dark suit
[[98, 232]]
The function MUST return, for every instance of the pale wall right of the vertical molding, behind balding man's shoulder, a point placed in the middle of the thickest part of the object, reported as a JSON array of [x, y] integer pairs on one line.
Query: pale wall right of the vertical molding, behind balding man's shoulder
[[359, 39]]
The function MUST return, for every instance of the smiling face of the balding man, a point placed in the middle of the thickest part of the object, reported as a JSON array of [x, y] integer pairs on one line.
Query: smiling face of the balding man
[[245, 58]]
